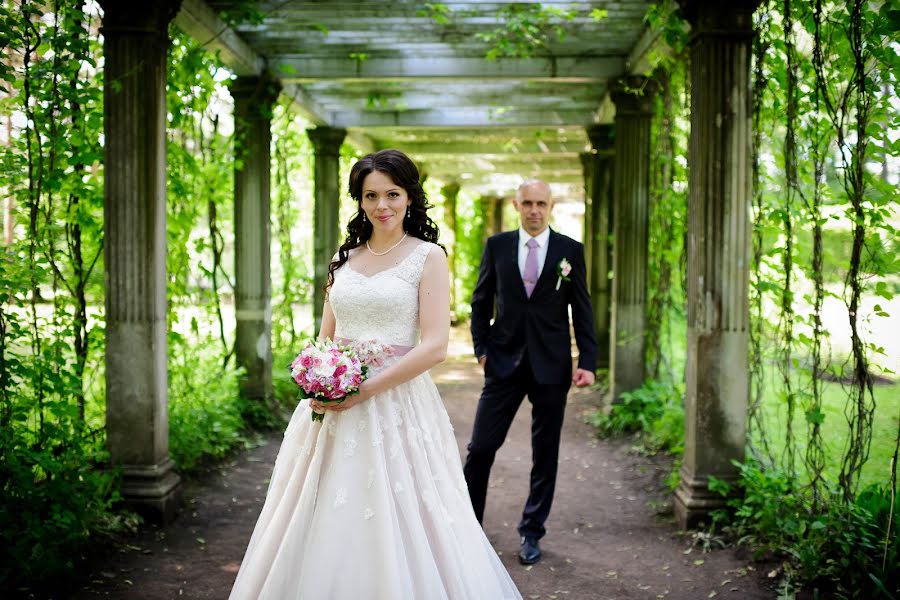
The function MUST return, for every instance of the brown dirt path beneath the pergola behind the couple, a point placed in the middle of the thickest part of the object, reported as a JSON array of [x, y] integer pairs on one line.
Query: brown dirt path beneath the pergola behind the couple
[[605, 540]]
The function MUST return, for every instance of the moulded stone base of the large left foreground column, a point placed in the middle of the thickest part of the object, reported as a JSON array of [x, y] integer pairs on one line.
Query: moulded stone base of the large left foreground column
[[153, 491]]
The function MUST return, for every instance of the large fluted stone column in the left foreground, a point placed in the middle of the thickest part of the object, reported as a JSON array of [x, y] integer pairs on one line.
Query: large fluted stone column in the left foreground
[[135, 39]]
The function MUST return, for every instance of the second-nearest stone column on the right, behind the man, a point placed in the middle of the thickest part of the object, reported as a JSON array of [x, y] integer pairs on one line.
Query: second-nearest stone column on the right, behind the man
[[631, 194]]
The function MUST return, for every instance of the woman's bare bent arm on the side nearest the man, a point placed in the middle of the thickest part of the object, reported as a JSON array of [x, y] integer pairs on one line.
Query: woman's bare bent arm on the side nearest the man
[[434, 325]]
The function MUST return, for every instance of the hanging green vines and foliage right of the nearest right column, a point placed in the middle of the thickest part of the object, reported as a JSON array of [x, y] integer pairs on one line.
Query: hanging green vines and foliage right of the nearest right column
[[822, 235]]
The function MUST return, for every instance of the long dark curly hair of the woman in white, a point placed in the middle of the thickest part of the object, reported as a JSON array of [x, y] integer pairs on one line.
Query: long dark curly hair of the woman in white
[[403, 172]]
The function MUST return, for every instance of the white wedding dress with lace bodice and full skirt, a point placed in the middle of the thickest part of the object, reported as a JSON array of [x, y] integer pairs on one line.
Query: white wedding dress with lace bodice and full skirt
[[371, 503]]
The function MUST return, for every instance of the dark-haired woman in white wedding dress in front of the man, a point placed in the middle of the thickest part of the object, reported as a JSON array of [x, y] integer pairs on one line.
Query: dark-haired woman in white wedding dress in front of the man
[[371, 502]]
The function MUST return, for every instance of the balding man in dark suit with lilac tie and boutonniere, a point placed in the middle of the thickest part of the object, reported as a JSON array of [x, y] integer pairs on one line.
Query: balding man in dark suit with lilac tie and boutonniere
[[531, 277]]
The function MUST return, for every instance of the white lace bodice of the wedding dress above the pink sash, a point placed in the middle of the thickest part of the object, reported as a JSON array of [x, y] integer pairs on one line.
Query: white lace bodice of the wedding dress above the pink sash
[[384, 306]]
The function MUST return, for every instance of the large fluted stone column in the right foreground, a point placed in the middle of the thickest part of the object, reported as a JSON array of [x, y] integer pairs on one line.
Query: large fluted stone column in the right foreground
[[718, 252]]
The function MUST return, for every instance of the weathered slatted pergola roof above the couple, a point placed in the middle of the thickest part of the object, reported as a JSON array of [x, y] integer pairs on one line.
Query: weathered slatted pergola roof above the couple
[[395, 77]]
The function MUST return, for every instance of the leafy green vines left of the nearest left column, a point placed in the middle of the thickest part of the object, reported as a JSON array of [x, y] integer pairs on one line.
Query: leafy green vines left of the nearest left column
[[55, 494]]
